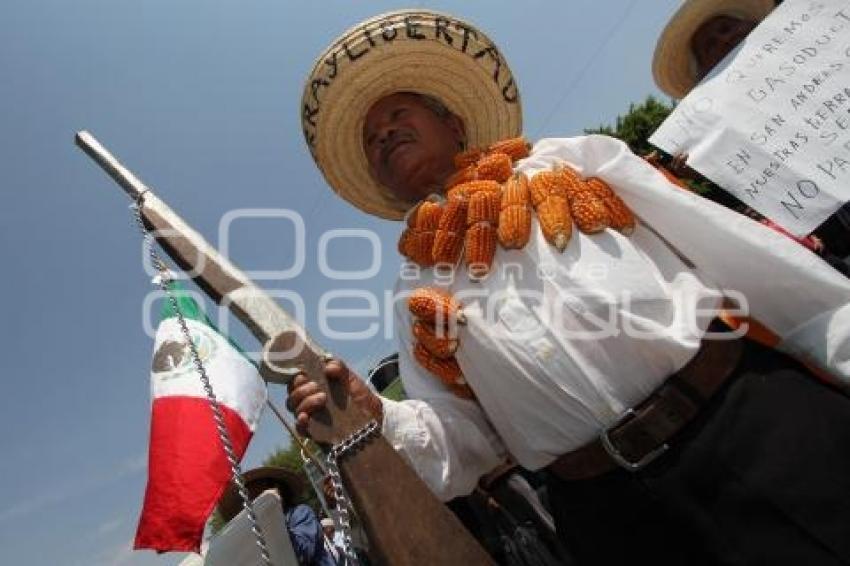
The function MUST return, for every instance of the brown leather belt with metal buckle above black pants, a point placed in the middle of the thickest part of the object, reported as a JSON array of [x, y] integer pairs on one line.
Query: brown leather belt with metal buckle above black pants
[[642, 433]]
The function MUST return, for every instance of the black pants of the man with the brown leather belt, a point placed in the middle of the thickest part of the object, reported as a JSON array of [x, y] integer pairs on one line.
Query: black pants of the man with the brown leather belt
[[762, 476]]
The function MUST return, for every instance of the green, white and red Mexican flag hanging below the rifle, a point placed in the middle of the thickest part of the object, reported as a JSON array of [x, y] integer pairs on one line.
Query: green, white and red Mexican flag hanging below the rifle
[[187, 467]]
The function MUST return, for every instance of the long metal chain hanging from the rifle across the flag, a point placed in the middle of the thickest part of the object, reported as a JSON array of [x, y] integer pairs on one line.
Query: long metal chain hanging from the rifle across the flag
[[235, 469]]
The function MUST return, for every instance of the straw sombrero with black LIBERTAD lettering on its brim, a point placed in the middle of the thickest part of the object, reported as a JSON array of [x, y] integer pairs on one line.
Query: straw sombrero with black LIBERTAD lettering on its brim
[[404, 51]]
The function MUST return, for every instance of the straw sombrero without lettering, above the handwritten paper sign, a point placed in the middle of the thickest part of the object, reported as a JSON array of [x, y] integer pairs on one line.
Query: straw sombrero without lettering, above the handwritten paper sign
[[673, 64]]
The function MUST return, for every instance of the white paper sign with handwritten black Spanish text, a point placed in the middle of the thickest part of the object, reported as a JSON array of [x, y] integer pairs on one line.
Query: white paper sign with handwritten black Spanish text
[[771, 124]]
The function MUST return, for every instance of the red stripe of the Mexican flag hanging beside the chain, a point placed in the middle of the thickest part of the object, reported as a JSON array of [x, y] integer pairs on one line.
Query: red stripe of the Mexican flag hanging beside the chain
[[187, 471]]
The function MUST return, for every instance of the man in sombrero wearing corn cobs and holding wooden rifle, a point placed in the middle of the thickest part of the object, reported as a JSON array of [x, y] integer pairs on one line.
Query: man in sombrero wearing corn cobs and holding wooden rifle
[[585, 351]]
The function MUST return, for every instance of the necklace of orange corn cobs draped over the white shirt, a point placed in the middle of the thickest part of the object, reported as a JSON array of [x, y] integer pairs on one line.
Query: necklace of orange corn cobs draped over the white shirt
[[486, 205]]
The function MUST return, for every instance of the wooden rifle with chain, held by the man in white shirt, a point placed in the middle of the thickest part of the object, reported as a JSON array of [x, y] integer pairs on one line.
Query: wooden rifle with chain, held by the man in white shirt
[[406, 524]]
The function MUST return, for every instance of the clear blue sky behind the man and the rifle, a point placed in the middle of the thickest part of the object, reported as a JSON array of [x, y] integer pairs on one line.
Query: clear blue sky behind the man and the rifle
[[200, 98]]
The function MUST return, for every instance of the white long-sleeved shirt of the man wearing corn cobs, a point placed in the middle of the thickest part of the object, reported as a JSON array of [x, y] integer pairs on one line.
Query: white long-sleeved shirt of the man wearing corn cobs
[[557, 346]]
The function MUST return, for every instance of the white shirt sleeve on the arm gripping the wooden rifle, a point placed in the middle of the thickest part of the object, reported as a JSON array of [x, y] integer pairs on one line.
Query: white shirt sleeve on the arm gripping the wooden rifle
[[446, 439]]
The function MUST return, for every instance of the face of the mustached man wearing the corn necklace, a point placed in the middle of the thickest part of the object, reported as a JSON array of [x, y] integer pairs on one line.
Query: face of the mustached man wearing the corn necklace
[[410, 147]]
